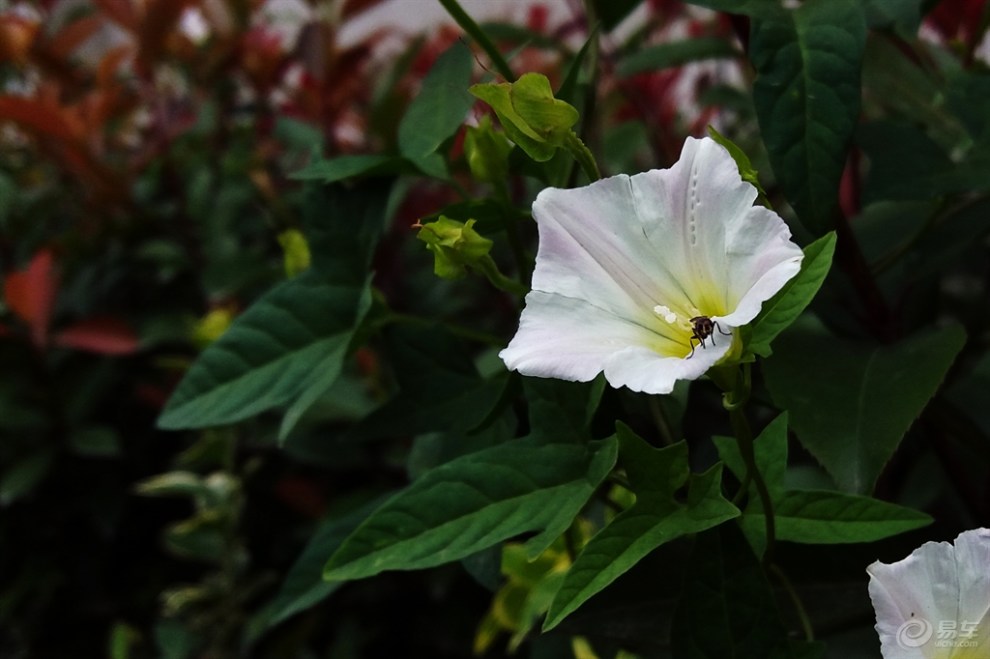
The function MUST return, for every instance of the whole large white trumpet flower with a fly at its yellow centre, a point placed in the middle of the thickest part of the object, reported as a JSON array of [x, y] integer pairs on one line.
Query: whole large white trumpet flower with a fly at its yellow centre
[[627, 263]]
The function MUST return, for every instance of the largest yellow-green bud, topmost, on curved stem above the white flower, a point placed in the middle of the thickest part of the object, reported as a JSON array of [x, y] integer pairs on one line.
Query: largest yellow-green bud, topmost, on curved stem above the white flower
[[530, 115]]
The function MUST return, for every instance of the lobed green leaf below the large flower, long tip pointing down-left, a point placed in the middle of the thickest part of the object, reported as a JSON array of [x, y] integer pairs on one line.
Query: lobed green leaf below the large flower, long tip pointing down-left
[[656, 517]]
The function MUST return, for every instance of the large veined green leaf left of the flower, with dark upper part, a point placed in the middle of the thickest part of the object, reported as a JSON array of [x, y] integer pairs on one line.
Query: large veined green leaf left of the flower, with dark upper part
[[289, 347]]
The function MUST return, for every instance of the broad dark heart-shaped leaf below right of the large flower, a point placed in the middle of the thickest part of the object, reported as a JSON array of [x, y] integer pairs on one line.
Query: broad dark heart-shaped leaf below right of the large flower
[[850, 404]]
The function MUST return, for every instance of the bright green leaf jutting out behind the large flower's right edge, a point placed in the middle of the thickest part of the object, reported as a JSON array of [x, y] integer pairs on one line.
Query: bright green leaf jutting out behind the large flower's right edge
[[784, 308]]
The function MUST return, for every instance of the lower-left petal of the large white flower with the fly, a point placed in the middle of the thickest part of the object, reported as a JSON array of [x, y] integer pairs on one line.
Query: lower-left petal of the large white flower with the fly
[[569, 339]]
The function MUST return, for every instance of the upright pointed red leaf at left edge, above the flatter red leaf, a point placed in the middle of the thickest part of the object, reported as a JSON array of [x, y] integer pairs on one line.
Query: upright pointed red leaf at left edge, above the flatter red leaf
[[30, 293]]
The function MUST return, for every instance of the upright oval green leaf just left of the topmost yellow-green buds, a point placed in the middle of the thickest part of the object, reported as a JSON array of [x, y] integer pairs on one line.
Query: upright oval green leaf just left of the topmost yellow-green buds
[[440, 106]]
